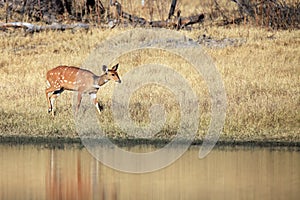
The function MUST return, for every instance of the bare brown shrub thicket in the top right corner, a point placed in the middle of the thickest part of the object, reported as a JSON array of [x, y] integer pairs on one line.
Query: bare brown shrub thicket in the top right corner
[[275, 14]]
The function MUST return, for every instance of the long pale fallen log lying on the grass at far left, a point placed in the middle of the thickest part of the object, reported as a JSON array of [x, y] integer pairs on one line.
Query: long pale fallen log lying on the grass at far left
[[31, 28]]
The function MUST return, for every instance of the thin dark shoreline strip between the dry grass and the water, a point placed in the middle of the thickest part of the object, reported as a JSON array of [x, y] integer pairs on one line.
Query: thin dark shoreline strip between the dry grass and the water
[[128, 142]]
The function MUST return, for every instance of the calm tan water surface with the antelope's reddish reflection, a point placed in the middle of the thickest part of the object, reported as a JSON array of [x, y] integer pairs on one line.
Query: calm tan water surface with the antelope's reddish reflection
[[34, 172]]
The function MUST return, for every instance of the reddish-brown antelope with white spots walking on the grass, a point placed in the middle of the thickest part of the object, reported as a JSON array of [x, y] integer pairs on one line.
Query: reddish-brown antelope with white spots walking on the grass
[[76, 79]]
